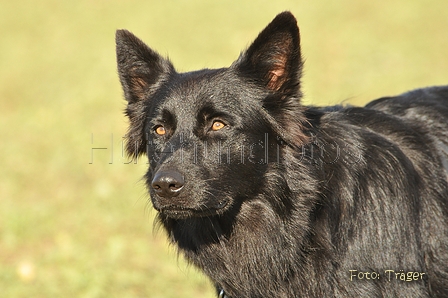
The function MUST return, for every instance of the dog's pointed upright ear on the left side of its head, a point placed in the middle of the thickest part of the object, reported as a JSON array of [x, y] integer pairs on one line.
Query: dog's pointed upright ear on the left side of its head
[[141, 69]]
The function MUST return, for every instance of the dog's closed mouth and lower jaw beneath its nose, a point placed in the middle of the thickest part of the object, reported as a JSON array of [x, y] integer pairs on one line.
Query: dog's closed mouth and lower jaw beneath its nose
[[180, 212]]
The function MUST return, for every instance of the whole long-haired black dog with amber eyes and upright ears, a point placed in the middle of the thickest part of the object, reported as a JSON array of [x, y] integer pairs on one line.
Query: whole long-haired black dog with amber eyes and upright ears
[[270, 198]]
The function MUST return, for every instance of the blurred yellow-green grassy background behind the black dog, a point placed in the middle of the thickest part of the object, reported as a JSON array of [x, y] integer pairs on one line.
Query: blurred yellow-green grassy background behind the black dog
[[77, 225]]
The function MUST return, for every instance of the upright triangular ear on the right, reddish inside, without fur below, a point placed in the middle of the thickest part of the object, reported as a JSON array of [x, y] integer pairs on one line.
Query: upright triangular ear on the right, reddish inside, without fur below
[[274, 58]]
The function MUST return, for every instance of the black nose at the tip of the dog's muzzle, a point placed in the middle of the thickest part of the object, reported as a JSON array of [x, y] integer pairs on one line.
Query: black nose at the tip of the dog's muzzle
[[167, 183]]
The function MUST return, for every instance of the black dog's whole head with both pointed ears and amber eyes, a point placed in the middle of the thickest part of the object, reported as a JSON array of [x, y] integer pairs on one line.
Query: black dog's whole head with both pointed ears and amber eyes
[[212, 136]]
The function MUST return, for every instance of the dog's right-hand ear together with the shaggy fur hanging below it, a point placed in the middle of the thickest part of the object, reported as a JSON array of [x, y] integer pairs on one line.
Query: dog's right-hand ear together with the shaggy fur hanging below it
[[273, 62]]
